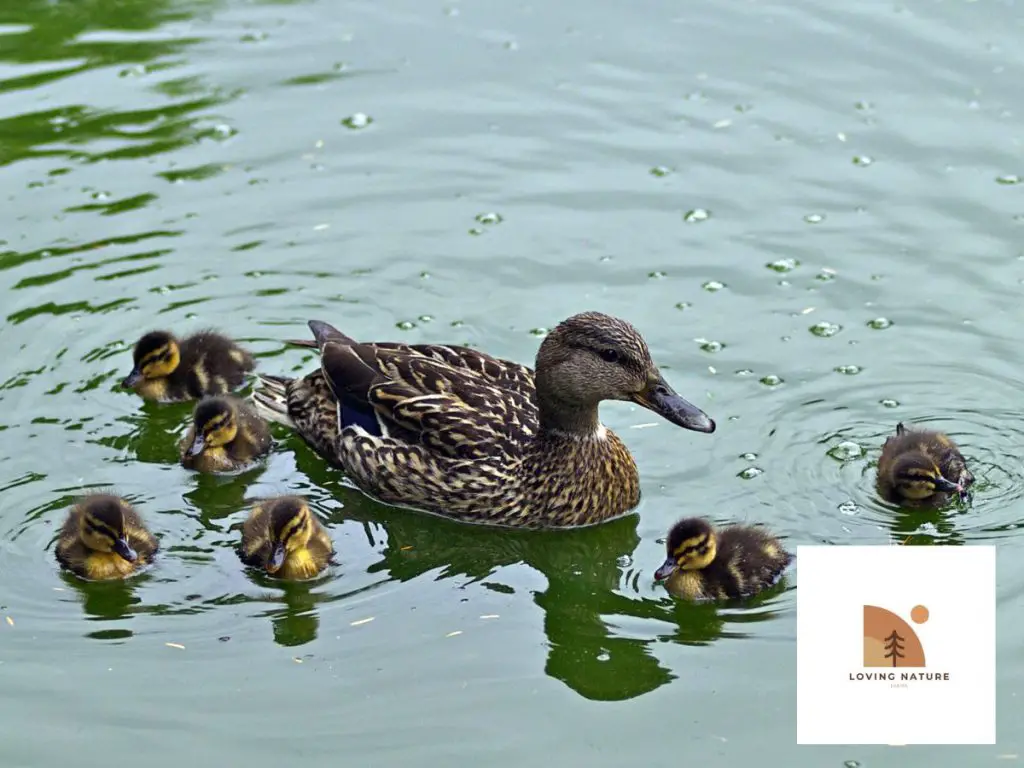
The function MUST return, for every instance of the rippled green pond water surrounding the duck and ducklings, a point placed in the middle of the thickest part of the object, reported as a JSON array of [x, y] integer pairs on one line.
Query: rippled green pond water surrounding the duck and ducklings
[[810, 210]]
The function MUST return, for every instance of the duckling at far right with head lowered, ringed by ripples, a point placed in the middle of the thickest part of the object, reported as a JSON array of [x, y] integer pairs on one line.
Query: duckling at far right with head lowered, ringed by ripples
[[922, 468]]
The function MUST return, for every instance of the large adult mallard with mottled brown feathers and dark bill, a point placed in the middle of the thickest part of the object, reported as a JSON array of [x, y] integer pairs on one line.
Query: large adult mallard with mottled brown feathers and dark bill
[[456, 433]]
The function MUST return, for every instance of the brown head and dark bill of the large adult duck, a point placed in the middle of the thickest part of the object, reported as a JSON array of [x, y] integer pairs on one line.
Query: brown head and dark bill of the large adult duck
[[592, 358]]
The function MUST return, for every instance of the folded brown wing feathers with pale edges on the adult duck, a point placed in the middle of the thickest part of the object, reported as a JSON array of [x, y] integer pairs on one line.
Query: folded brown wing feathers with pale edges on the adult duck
[[459, 411]]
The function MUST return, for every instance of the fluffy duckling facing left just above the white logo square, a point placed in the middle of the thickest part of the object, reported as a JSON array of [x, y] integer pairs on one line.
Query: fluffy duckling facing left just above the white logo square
[[735, 563]]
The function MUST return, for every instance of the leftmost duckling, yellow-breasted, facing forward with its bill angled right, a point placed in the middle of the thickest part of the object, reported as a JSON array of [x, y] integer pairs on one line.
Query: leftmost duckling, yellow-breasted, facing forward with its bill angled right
[[104, 538]]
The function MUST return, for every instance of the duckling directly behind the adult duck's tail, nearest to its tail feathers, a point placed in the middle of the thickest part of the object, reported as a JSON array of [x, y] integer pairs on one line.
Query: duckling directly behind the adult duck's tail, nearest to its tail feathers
[[227, 435]]
